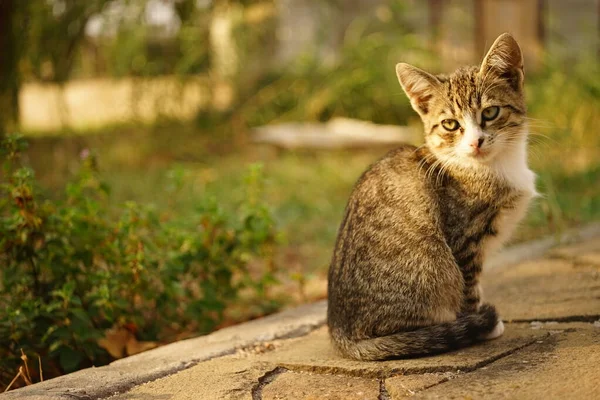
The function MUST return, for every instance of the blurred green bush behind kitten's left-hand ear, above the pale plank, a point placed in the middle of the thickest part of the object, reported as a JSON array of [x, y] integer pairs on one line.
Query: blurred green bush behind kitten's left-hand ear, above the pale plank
[[360, 83]]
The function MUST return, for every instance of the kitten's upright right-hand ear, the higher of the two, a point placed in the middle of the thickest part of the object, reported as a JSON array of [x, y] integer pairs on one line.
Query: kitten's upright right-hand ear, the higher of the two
[[504, 60]]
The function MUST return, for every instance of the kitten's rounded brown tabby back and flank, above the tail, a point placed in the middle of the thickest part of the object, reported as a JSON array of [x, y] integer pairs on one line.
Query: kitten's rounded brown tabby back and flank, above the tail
[[390, 228]]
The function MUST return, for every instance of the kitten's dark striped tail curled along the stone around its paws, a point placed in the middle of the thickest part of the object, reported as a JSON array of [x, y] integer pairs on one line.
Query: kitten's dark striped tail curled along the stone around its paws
[[463, 331]]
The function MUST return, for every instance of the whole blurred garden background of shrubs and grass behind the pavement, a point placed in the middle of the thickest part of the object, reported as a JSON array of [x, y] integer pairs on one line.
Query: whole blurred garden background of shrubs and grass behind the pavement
[[225, 136]]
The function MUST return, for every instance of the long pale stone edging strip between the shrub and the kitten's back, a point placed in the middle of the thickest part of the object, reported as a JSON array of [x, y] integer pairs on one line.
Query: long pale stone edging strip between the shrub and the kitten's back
[[124, 374]]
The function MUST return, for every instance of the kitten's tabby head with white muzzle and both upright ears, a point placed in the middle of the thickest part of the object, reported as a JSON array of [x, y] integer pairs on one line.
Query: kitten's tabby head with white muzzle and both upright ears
[[476, 113]]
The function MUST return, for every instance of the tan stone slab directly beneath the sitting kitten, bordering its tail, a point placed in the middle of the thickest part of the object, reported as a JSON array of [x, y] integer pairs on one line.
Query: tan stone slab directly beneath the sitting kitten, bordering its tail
[[314, 353]]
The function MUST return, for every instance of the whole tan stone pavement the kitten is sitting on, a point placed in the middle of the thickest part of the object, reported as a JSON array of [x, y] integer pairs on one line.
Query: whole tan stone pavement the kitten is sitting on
[[550, 350]]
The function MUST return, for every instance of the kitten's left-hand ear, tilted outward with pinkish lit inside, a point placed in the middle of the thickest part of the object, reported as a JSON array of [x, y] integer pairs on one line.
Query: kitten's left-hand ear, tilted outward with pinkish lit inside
[[420, 86]]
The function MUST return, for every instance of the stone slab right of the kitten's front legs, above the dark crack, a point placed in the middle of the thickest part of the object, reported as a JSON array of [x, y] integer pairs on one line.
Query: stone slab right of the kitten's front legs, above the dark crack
[[547, 289]]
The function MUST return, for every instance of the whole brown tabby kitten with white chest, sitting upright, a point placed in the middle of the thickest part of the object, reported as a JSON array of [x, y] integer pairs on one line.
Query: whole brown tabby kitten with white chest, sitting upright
[[404, 277]]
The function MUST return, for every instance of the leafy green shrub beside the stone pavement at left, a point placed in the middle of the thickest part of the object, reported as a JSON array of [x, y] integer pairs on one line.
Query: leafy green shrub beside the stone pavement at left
[[74, 269]]
